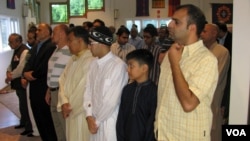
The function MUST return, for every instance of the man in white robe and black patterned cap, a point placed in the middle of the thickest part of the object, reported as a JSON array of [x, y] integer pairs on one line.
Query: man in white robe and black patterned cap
[[106, 78]]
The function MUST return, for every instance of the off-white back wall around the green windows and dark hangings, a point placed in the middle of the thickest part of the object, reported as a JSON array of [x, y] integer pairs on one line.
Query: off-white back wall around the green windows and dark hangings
[[127, 9]]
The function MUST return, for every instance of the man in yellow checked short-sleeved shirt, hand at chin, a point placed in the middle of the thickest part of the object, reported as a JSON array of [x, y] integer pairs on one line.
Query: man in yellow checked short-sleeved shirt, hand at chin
[[188, 78]]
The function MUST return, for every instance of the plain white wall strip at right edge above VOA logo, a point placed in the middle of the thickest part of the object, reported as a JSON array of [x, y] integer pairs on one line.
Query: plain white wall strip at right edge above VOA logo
[[239, 99]]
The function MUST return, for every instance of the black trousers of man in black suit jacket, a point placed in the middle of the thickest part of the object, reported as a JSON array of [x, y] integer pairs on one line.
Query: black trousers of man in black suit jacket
[[42, 116]]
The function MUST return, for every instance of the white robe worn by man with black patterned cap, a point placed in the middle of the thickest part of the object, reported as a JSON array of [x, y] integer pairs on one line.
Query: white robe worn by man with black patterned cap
[[106, 79]]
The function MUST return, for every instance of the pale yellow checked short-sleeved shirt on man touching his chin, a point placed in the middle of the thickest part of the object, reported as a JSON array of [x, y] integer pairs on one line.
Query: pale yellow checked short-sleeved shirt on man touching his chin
[[200, 70]]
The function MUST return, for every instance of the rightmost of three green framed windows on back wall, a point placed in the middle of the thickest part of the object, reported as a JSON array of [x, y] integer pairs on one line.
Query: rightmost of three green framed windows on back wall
[[96, 5]]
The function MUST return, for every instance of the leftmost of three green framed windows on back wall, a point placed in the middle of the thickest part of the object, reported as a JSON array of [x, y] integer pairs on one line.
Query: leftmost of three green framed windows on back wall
[[59, 13]]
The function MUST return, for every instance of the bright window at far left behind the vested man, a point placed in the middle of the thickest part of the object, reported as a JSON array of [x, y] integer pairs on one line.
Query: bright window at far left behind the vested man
[[8, 25]]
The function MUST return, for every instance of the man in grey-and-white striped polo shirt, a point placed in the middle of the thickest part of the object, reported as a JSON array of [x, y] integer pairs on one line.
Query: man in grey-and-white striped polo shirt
[[56, 65]]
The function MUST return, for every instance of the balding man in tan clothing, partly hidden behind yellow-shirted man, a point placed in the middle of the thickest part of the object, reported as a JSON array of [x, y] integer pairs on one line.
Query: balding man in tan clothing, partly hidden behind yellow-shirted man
[[208, 35]]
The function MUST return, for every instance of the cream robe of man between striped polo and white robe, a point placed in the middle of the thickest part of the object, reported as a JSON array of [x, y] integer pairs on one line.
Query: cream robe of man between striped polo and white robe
[[72, 86]]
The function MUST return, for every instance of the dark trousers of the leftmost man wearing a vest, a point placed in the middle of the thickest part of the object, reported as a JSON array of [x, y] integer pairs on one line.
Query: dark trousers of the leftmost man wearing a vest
[[23, 108]]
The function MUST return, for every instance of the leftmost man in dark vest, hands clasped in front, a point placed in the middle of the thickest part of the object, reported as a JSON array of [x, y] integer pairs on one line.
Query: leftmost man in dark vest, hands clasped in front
[[13, 75]]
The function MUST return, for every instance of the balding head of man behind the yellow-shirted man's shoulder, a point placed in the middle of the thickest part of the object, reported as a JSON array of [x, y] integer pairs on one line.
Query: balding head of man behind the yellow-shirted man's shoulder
[[209, 34]]
